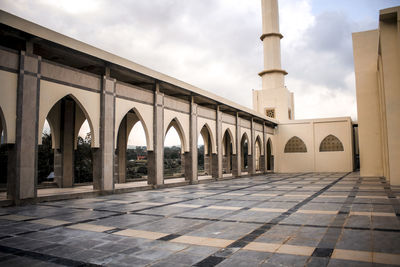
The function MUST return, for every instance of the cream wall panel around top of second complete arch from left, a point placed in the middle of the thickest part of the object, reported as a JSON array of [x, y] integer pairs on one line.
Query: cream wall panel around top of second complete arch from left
[[142, 111]]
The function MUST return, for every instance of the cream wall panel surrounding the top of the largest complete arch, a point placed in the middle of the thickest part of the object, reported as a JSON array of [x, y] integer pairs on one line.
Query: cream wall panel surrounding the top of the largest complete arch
[[89, 102]]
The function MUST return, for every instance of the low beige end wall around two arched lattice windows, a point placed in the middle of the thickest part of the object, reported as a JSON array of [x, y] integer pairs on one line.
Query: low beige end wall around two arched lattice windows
[[312, 132]]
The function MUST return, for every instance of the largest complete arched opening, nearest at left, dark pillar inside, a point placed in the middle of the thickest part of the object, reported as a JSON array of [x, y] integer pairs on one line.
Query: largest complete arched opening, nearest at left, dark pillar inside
[[67, 133]]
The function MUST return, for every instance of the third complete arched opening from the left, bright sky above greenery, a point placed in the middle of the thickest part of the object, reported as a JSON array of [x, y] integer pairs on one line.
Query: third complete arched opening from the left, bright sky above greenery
[[174, 160]]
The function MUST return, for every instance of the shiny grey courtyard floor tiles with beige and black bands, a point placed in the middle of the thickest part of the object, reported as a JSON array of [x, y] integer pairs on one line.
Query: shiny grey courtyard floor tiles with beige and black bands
[[326, 219]]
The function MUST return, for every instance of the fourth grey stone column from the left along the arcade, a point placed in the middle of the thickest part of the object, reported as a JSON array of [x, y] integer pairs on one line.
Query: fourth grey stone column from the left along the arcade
[[191, 156]]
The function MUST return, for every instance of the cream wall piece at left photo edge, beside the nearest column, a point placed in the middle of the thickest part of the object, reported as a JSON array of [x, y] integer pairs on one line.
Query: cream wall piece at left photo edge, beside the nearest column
[[8, 102]]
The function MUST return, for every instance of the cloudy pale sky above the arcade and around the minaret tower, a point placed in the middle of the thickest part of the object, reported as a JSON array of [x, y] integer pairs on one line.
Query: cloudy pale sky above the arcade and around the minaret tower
[[215, 45]]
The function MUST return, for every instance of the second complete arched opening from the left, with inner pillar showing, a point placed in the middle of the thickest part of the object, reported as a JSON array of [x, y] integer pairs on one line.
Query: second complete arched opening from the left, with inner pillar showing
[[131, 152]]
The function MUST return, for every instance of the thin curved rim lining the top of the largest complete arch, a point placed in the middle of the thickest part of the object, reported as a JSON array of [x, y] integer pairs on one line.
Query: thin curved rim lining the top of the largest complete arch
[[54, 103]]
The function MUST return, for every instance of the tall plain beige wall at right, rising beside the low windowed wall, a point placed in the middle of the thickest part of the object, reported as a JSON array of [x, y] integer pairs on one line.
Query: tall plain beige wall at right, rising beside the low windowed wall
[[365, 46]]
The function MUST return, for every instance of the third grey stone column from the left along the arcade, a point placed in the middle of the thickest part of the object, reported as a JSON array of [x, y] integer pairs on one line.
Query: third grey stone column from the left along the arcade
[[155, 161]]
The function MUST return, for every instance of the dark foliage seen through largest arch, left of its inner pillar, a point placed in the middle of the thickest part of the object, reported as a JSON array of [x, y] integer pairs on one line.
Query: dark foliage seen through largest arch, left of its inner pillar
[[45, 158]]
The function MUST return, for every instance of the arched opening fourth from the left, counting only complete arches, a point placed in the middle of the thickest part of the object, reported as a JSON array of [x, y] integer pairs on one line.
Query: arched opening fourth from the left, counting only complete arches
[[204, 149]]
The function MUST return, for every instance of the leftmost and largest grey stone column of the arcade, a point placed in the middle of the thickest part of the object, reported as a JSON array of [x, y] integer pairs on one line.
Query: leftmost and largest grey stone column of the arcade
[[23, 155]]
